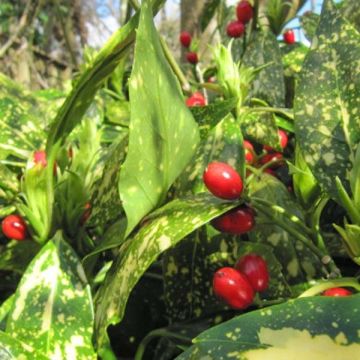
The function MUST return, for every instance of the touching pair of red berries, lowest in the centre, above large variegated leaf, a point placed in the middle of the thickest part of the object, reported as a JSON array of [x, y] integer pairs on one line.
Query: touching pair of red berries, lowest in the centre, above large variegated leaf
[[237, 286]]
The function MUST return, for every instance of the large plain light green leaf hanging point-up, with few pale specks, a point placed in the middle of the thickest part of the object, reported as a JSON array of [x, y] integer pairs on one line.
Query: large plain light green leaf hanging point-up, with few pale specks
[[163, 134]]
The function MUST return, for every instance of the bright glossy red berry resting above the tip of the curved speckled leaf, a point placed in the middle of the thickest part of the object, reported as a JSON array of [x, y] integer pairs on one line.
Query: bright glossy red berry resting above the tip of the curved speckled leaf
[[223, 181]]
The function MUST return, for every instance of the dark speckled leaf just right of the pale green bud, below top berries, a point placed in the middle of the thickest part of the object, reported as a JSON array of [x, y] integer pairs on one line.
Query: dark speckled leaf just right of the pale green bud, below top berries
[[269, 84]]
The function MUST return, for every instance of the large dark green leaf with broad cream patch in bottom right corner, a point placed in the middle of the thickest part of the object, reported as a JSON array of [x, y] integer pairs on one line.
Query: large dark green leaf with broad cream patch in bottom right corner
[[315, 327]]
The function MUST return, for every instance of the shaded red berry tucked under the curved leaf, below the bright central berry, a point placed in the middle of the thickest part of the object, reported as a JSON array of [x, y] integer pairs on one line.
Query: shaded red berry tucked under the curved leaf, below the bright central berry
[[236, 221]]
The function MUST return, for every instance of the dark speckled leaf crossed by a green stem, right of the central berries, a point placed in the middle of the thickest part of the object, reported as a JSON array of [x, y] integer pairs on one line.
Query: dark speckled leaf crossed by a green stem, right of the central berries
[[298, 262]]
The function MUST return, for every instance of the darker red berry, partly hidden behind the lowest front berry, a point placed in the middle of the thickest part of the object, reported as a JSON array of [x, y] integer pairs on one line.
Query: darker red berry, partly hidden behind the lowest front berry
[[255, 269]]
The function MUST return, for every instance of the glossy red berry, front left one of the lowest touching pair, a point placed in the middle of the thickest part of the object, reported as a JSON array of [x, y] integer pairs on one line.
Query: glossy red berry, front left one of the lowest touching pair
[[233, 287]]
